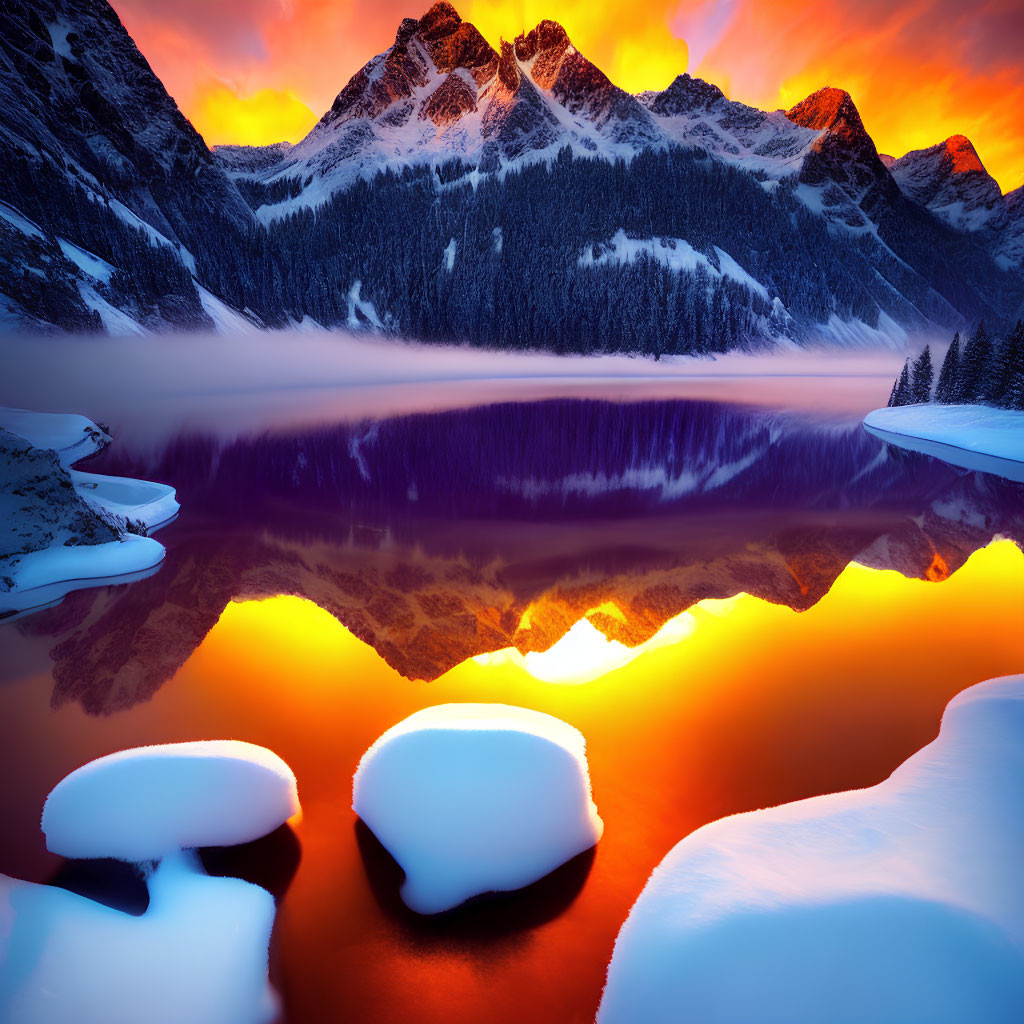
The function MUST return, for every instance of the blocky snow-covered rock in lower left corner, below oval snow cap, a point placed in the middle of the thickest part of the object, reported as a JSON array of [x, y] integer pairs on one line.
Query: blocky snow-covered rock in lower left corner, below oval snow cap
[[199, 955]]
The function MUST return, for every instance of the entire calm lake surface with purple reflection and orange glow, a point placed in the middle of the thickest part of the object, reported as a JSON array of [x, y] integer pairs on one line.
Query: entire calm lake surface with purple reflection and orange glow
[[774, 606]]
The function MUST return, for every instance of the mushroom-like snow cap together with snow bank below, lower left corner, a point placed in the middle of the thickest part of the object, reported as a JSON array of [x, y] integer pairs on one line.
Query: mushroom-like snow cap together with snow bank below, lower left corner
[[199, 953]]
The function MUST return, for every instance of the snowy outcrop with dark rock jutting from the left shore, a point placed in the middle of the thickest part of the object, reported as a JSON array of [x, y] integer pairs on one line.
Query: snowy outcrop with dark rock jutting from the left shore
[[65, 530]]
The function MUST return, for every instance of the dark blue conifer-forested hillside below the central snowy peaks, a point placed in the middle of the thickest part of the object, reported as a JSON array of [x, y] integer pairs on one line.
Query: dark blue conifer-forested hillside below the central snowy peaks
[[517, 261]]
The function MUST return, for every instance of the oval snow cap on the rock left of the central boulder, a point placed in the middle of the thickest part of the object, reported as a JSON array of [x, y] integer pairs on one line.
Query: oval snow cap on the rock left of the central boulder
[[144, 803]]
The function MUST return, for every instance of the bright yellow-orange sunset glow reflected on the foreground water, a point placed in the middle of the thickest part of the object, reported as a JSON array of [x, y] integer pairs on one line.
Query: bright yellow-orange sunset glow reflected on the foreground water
[[735, 705]]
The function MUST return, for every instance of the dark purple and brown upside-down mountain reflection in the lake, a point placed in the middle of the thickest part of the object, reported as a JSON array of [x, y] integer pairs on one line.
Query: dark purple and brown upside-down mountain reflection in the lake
[[439, 537]]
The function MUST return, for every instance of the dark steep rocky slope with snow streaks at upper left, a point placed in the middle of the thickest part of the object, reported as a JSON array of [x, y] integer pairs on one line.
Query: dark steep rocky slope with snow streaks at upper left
[[122, 199]]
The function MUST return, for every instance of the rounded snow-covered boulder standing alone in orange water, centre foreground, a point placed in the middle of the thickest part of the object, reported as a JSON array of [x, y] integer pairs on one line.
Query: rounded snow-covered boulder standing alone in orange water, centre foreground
[[477, 798]]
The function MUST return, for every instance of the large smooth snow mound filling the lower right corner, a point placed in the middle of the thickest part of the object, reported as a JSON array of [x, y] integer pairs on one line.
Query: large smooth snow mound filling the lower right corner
[[899, 905]]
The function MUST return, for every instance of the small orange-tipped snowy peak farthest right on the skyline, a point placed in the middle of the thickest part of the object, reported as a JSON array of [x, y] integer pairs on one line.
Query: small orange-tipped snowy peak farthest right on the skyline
[[951, 180]]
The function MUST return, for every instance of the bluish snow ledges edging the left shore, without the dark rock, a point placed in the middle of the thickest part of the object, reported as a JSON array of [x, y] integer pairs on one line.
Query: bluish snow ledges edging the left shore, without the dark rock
[[44, 577]]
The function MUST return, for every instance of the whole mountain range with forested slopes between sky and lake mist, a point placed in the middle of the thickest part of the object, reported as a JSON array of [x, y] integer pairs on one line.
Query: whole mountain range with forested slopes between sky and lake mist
[[514, 198]]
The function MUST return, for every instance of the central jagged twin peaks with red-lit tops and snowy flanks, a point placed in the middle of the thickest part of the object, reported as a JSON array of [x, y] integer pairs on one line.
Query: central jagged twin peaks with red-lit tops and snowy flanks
[[443, 92]]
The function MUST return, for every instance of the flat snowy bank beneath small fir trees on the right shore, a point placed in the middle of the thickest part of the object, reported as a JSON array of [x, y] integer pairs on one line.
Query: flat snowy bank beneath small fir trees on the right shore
[[973, 437]]
